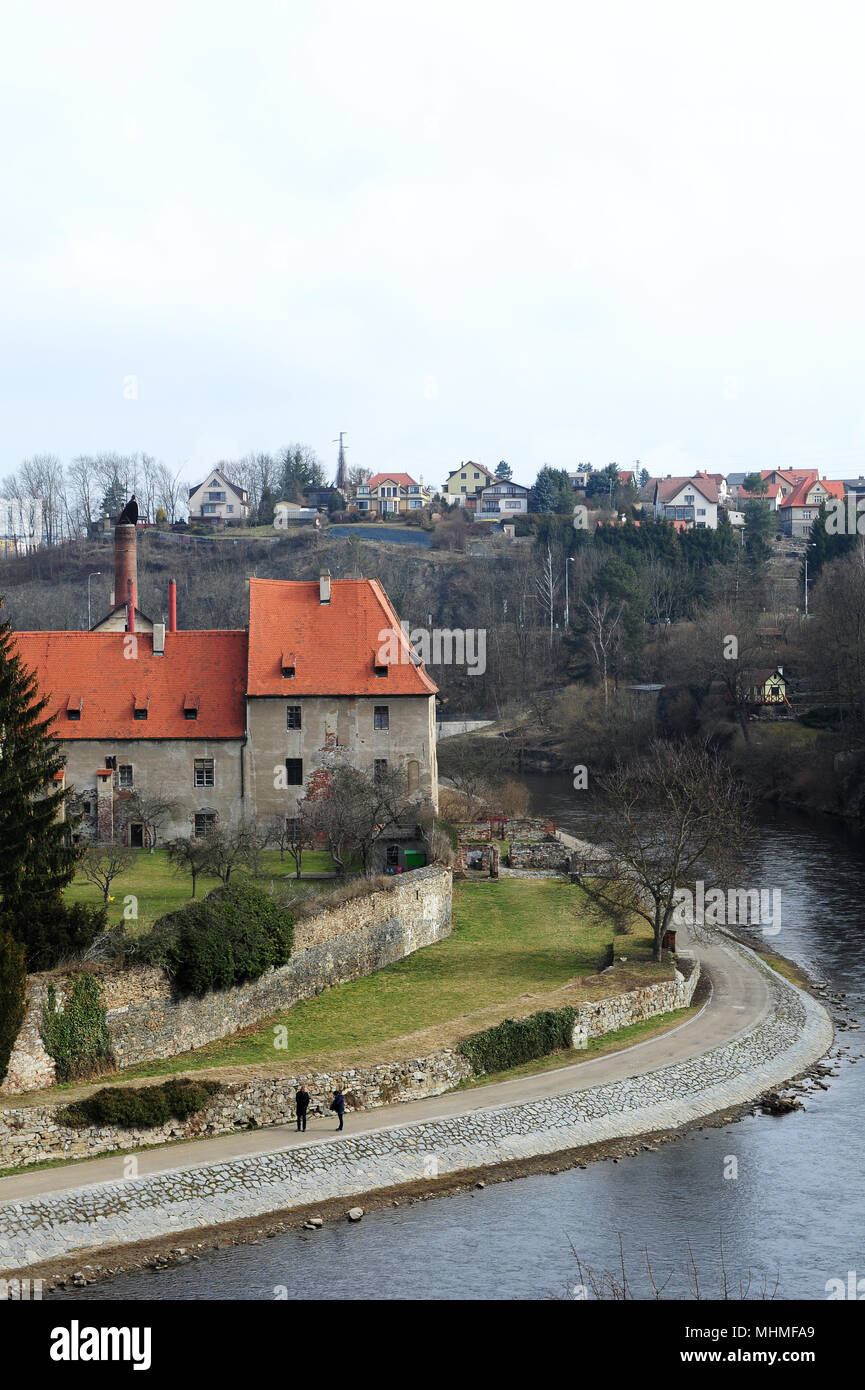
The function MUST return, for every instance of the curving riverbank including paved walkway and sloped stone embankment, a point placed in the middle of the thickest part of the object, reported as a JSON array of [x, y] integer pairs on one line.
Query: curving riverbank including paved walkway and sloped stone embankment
[[714, 1065]]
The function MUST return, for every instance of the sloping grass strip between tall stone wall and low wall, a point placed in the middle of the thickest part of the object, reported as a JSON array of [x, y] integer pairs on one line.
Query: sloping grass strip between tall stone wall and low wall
[[518, 946]]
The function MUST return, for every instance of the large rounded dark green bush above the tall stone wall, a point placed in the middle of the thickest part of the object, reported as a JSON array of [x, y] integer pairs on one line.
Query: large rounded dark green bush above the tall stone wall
[[234, 936]]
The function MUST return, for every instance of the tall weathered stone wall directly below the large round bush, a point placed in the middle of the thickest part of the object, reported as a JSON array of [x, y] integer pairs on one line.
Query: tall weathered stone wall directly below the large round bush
[[337, 945]]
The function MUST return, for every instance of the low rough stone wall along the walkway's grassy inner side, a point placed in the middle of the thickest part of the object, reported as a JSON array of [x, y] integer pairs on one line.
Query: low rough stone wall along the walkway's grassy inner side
[[33, 1134]]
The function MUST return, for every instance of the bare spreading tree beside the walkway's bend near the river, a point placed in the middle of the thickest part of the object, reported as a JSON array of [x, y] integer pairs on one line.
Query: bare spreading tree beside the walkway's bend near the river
[[668, 818]]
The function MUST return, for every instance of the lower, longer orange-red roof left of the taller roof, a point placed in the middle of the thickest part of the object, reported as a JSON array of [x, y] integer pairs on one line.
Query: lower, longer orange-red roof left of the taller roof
[[92, 668]]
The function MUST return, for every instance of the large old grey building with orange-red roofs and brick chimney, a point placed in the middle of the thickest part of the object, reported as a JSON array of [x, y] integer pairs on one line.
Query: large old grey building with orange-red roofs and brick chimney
[[215, 726]]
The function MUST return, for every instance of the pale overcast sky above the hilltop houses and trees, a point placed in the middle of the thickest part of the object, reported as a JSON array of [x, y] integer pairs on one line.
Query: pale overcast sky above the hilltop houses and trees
[[543, 233]]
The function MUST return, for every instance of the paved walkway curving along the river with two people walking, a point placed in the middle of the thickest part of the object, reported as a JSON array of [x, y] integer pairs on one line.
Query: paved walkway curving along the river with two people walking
[[739, 1004]]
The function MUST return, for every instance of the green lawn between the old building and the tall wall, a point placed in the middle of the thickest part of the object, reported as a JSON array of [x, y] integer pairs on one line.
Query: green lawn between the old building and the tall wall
[[161, 889]]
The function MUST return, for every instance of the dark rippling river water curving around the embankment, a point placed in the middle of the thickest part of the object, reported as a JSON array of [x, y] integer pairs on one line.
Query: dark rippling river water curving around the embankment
[[792, 1218]]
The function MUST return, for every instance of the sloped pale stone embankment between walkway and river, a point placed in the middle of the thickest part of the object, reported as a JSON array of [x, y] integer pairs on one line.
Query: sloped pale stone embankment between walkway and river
[[793, 1033]]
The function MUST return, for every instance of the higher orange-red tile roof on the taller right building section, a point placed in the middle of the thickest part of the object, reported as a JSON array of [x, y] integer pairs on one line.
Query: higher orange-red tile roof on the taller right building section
[[336, 644]]
